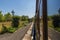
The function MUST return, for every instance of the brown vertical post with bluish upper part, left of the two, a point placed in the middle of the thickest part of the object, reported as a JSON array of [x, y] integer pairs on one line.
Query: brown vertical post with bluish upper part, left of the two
[[37, 21]]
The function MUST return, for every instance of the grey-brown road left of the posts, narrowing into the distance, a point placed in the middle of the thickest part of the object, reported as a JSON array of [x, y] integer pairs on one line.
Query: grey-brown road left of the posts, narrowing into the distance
[[18, 35]]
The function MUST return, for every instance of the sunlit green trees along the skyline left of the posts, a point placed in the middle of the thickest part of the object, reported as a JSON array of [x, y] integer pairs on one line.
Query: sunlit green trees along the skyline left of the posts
[[8, 17]]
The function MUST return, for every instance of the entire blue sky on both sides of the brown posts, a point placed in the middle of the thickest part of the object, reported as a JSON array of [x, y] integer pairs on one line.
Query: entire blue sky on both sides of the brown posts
[[27, 7]]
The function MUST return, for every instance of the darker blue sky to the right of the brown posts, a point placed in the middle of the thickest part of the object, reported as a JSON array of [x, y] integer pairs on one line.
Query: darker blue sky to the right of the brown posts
[[53, 6]]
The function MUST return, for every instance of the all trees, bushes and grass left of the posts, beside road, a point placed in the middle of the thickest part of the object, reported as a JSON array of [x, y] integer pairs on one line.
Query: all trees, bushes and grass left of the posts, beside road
[[15, 22]]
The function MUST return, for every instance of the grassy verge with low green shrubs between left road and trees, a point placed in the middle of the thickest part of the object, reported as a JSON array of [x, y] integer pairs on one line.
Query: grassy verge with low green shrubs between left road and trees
[[10, 29]]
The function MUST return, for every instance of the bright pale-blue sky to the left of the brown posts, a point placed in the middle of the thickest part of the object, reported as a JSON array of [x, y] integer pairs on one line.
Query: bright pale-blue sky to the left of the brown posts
[[21, 7]]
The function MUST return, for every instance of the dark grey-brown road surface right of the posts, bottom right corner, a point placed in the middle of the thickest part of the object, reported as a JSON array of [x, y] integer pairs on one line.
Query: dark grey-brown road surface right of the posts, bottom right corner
[[53, 34]]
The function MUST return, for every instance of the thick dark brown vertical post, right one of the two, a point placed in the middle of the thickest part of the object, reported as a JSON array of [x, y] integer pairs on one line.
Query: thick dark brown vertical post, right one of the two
[[45, 27]]
